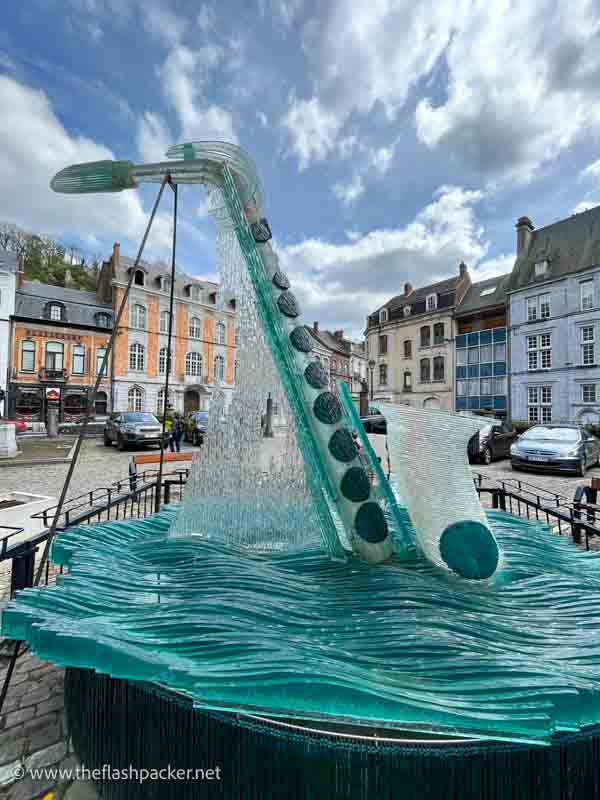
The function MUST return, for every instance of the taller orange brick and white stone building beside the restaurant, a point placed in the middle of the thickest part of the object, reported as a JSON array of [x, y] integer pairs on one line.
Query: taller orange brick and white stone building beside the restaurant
[[203, 337]]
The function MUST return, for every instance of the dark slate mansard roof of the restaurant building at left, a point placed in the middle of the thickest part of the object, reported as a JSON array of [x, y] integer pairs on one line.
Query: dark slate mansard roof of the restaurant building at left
[[80, 307]]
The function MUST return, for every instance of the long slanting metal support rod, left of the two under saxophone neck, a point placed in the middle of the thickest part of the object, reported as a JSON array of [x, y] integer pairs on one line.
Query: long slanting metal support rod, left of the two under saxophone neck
[[80, 438]]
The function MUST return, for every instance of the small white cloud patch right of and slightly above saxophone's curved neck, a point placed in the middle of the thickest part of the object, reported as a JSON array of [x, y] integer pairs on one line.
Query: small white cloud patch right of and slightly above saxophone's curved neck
[[312, 128]]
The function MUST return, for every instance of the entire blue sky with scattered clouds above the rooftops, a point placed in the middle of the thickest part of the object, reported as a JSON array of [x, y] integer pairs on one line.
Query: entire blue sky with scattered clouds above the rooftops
[[393, 137]]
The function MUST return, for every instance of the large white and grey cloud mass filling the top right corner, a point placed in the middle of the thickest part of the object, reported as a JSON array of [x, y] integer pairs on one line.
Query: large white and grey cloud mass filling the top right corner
[[510, 86]]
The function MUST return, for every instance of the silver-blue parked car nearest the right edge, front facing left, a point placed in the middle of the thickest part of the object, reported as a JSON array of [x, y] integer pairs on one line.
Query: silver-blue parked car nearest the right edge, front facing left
[[565, 448]]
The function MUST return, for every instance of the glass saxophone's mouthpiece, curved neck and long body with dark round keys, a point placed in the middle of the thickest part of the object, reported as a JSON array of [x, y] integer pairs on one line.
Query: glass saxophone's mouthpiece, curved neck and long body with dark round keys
[[352, 515]]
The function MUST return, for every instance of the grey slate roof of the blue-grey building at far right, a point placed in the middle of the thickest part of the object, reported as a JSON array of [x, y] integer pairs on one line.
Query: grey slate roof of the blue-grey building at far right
[[569, 246]]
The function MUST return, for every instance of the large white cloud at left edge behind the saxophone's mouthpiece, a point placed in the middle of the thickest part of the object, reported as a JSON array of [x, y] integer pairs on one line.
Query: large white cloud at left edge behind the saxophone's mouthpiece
[[33, 147]]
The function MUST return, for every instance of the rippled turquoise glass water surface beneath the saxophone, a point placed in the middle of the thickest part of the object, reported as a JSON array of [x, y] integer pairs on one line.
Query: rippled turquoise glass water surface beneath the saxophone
[[295, 633]]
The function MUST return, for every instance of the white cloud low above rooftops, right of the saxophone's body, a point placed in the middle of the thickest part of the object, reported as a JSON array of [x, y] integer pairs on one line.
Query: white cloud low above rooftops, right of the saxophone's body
[[340, 284]]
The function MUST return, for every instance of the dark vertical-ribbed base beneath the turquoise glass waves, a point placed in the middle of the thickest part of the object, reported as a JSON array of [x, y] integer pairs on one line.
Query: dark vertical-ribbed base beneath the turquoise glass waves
[[148, 744]]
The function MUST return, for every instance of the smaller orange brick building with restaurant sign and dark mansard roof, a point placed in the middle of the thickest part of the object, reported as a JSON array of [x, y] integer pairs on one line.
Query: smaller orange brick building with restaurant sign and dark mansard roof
[[58, 338]]
